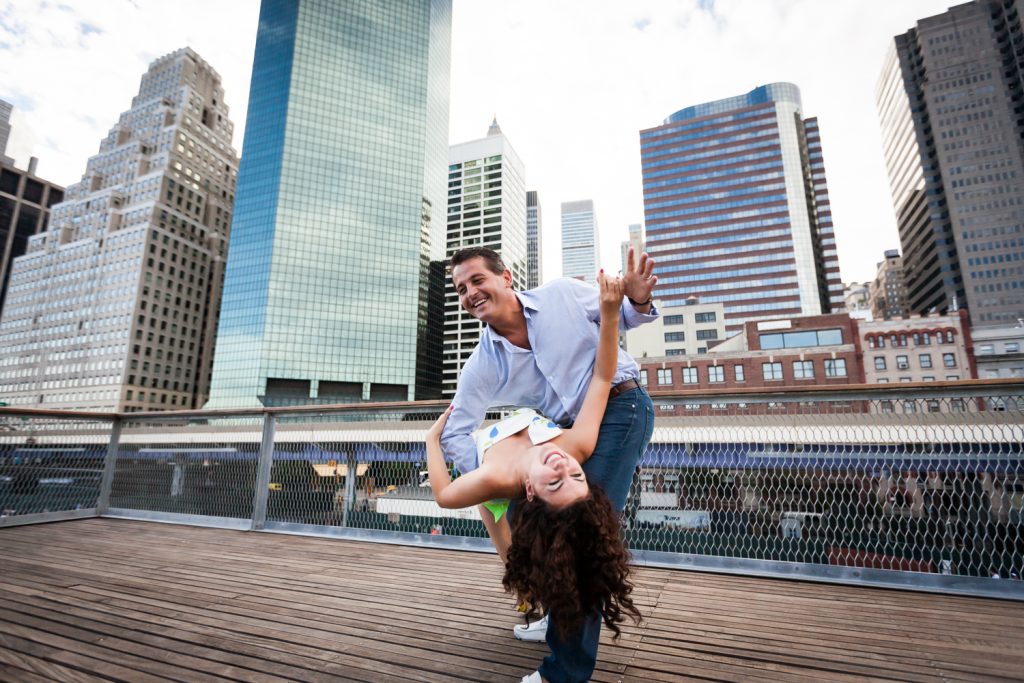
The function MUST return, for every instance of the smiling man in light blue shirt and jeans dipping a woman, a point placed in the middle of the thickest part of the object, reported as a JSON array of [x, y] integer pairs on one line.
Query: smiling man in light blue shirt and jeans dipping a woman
[[538, 351]]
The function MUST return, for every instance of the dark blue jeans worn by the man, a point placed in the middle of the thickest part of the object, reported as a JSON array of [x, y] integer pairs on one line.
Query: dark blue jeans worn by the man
[[626, 430]]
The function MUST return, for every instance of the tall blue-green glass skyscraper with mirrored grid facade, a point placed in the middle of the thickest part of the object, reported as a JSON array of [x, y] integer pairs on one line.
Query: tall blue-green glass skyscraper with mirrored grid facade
[[342, 207]]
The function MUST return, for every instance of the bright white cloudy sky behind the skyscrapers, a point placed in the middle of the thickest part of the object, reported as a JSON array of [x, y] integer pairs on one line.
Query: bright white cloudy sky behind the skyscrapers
[[572, 83]]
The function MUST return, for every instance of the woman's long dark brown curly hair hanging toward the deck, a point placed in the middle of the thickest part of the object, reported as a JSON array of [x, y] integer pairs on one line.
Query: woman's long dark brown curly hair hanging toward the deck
[[573, 562]]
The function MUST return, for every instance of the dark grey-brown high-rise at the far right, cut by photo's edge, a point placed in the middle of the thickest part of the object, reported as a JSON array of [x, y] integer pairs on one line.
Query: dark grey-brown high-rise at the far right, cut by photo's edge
[[951, 102]]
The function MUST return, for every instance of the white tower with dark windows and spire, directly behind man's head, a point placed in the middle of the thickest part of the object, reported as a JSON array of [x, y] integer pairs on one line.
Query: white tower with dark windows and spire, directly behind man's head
[[487, 207]]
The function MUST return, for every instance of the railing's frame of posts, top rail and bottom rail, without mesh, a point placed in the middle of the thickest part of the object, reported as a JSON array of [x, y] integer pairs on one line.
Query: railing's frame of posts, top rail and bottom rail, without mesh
[[980, 390]]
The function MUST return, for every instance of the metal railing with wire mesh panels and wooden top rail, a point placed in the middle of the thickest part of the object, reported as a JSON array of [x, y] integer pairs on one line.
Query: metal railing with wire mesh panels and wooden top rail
[[914, 486]]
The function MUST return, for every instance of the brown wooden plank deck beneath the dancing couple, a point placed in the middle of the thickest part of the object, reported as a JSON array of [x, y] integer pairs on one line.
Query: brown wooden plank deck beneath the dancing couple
[[110, 600]]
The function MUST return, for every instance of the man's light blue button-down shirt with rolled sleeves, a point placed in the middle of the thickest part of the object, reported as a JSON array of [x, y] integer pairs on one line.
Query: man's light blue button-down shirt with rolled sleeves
[[563, 322]]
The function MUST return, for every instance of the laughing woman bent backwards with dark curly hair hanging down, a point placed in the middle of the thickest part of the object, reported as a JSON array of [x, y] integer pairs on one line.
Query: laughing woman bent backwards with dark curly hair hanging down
[[566, 550]]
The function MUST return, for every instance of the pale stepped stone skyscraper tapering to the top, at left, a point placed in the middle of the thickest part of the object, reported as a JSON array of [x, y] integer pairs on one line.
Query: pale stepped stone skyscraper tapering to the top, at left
[[114, 308]]
